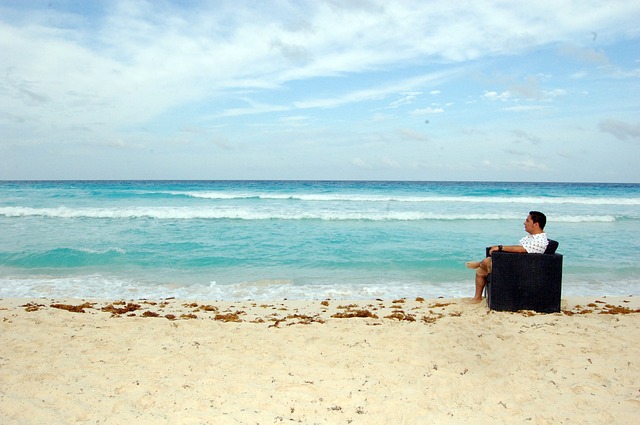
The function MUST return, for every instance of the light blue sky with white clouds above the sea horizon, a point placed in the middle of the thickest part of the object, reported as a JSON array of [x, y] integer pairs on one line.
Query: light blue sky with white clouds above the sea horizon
[[320, 90]]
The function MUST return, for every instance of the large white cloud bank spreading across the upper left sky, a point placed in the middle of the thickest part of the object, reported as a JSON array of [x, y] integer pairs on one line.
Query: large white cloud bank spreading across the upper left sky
[[153, 56]]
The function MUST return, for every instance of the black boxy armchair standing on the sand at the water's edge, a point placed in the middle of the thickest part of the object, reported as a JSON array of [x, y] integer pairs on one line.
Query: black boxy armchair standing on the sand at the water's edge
[[525, 281]]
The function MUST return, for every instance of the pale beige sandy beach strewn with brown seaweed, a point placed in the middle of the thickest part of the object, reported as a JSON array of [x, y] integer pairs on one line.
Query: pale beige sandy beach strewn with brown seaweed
[[312, 362]]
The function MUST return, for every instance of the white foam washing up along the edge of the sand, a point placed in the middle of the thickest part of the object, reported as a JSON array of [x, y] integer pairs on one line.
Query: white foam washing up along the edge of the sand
[[109, 287]]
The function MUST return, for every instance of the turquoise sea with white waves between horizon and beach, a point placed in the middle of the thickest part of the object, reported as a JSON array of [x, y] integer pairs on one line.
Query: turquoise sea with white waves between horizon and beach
[[297, 239]]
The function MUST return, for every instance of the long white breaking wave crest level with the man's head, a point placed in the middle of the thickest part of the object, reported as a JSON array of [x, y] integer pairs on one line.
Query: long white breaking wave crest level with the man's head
[[185, 213]]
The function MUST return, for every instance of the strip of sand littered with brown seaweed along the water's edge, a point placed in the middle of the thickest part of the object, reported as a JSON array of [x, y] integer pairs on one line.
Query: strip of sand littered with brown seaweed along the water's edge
[[253, 310]]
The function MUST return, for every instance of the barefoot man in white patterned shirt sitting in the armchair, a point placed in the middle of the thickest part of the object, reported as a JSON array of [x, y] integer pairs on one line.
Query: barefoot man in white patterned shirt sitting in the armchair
[[535, 243]]
